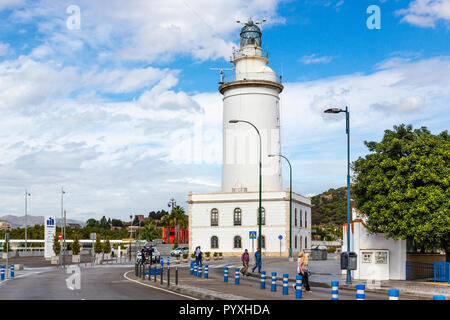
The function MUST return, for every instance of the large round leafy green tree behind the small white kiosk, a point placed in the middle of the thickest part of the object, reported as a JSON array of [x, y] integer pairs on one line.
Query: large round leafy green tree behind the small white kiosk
[[403, 186]]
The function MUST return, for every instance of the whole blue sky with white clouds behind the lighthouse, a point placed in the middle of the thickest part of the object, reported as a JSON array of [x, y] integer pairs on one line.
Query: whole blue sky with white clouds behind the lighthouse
[[113, 111]]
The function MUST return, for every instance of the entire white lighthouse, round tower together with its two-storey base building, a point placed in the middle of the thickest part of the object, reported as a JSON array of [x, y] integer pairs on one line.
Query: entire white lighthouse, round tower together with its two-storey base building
[[228, 220]]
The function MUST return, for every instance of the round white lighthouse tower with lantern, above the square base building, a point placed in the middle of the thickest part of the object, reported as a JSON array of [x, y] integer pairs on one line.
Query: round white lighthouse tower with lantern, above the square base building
[[253, 96]]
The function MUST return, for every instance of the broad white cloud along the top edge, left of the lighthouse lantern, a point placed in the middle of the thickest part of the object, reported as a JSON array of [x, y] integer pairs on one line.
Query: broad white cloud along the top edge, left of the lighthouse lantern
[[149, 31]]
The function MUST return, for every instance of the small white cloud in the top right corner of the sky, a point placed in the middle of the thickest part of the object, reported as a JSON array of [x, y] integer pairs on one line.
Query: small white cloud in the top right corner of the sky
[[425, 13]]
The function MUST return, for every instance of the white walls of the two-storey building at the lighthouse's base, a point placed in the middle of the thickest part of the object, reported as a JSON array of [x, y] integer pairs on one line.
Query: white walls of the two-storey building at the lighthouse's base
[[276, 222]]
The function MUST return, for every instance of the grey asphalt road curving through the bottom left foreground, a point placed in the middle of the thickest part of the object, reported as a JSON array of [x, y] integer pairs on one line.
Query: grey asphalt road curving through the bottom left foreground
[[96, 284]]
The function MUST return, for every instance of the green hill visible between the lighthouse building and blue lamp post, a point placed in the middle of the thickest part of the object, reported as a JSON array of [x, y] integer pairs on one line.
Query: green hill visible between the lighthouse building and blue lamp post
[[330, 206]]
